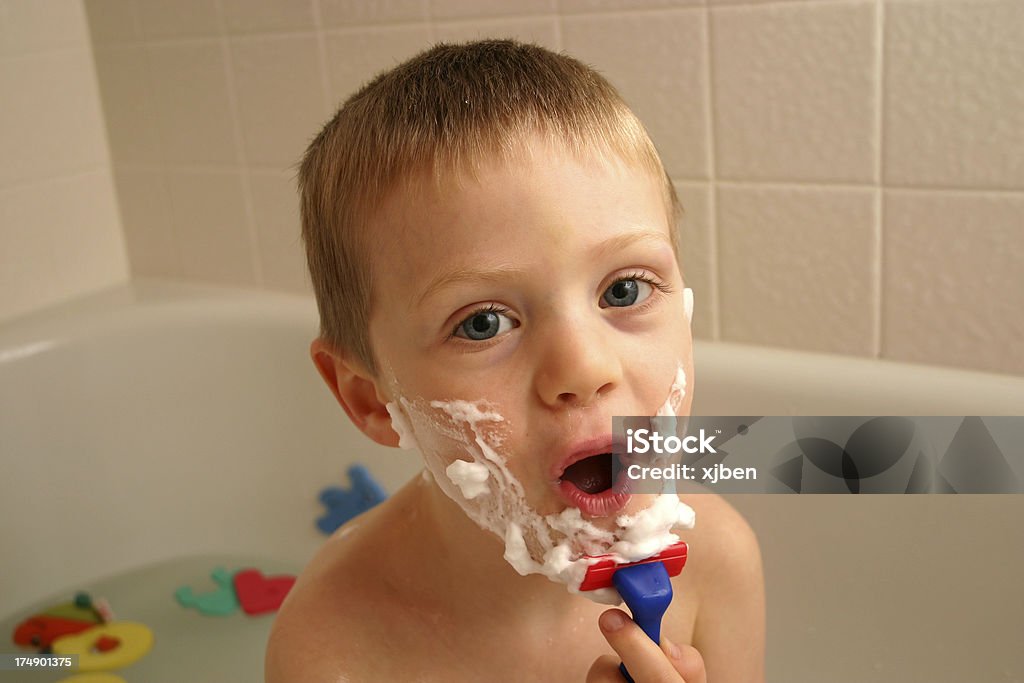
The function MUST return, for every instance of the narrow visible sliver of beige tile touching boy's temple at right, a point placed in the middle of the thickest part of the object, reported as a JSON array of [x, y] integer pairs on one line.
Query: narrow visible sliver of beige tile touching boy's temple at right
[[696, 245]]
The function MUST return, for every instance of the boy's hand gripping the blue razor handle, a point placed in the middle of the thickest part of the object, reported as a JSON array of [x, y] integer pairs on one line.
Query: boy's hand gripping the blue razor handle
[[647, 662]]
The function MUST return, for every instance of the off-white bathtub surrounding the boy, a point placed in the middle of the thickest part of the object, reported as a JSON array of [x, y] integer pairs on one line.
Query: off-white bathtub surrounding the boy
[[156, 423]]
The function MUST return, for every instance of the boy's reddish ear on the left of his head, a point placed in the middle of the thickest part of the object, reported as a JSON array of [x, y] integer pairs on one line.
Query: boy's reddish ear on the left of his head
[[357, 391]]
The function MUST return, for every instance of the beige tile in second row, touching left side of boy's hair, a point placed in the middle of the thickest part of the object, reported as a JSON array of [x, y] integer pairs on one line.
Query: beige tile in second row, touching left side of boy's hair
[[280, 94]]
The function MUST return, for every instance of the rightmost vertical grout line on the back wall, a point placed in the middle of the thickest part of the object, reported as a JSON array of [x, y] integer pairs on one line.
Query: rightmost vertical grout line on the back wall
[[878, 274]]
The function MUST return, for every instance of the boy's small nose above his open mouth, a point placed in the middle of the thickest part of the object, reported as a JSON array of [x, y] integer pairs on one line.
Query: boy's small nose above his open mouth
[[579, 365]]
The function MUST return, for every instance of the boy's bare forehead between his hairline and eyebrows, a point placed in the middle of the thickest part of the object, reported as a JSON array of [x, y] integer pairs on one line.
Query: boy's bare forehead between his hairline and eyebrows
[[457, 232]]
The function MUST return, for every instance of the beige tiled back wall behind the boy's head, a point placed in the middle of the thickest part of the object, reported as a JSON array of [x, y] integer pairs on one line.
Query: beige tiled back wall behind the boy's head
[[854, 170]]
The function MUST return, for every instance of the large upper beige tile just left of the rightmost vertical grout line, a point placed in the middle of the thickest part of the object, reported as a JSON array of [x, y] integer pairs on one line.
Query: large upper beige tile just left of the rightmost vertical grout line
[[795, 93]]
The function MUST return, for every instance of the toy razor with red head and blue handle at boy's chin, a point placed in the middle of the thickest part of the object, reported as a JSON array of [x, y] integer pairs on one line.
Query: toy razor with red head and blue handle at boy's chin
[[645, 586]]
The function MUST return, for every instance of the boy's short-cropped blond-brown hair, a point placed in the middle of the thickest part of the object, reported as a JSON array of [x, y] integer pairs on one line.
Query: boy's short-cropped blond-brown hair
[[448, 110]]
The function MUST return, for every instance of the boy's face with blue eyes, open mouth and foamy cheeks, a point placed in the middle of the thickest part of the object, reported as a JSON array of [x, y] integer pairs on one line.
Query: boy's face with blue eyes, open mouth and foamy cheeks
[[549, 290]]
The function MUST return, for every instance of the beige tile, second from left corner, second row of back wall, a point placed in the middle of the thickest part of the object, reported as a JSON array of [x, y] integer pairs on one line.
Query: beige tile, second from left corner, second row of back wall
[[190, 89]]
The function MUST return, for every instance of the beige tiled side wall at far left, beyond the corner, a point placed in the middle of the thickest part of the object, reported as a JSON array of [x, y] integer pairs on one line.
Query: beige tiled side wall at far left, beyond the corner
[[60, 232]]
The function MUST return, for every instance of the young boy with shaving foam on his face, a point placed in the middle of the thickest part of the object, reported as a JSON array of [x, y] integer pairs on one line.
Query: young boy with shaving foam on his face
[[492, 240]]
